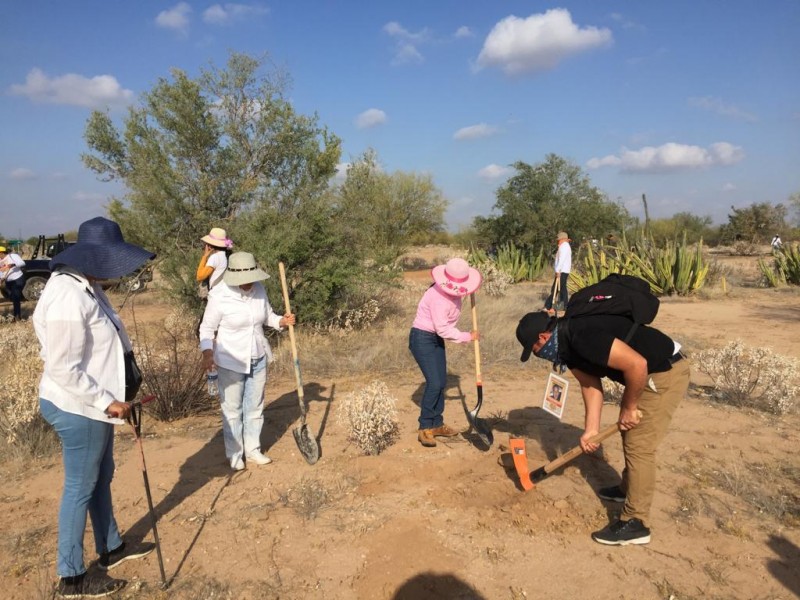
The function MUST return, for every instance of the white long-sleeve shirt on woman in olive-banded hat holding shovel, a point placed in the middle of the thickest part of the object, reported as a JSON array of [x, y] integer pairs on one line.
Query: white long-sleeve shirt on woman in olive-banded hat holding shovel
[[238, 318]]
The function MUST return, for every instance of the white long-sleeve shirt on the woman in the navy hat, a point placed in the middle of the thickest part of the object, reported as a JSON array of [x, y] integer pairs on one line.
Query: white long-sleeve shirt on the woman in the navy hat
[[83, 353]]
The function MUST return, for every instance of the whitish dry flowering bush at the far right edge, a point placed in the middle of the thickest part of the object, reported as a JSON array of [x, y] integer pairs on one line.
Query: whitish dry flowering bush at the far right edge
[[752, 377]]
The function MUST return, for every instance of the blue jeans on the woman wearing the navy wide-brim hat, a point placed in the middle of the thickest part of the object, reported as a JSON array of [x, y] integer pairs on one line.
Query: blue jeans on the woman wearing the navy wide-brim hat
[[88, 447]]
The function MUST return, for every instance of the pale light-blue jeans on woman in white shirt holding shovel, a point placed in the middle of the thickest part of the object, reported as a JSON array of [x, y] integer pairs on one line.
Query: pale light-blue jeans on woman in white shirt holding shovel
[[242, 401]]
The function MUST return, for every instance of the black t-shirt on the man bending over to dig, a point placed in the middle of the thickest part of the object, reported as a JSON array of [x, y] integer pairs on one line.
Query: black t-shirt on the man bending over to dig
[[585, 344]]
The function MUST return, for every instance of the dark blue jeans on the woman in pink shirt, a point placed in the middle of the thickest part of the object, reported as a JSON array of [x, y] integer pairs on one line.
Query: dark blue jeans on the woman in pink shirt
[[428, 350]]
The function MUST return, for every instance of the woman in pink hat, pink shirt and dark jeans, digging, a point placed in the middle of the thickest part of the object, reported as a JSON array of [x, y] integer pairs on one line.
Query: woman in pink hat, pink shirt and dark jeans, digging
[[437, 315]]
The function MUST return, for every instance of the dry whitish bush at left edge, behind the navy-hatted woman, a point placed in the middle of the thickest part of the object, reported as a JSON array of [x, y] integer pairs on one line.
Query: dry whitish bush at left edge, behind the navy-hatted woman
[[23, 431]]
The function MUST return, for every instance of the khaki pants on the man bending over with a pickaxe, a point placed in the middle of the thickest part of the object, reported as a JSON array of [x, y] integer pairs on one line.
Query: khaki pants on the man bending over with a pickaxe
[[640, 443]]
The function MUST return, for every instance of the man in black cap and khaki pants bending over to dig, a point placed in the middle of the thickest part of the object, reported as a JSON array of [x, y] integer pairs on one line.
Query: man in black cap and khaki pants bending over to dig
[[655, 377]]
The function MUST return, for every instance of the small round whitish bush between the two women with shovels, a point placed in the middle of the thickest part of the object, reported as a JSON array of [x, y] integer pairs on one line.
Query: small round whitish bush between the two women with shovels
[[370, 417]]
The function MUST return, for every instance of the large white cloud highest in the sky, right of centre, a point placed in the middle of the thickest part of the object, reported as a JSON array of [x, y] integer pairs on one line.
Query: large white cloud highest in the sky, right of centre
[[539, 42]]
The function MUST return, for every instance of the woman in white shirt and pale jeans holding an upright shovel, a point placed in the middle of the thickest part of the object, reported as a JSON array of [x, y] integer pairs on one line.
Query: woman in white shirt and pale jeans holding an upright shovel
[[232, 340]]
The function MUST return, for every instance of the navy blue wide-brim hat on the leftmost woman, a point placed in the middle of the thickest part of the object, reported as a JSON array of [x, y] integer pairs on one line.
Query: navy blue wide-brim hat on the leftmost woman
[[101, 252]]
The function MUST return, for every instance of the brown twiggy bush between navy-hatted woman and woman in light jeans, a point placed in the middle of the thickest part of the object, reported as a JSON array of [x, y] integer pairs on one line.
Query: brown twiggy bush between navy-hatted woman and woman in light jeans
[[170, 362]]
